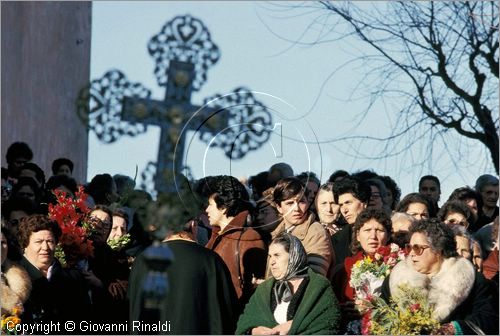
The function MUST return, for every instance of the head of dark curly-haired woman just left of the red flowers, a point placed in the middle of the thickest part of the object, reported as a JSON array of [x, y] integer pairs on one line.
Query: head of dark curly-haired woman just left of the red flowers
[[38, 237]]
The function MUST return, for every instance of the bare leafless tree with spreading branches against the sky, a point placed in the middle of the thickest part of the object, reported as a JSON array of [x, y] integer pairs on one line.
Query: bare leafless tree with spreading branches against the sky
[[446, 51]]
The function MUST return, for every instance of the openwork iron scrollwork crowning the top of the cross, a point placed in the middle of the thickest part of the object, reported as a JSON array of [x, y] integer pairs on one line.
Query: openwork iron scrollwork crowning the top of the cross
[[184, 39]]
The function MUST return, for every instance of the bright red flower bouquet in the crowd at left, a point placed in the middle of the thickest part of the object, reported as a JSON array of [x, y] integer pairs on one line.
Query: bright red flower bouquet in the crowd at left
[[72, 216]]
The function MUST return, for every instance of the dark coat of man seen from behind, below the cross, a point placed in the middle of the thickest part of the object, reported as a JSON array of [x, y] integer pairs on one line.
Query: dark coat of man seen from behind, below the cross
[[200, 298]]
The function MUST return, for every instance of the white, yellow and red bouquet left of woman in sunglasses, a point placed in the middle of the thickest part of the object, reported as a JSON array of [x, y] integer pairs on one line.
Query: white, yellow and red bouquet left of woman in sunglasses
[[368, 274]]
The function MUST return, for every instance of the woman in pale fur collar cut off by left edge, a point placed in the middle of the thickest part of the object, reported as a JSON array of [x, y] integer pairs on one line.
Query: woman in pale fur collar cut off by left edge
[[16, 284]]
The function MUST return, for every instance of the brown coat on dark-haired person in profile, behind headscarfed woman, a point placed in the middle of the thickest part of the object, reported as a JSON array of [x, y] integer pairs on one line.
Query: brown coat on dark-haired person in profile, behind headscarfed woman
[[244, 253]]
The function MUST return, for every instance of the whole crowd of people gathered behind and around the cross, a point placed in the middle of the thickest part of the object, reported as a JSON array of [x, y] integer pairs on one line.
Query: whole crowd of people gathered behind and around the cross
[[270, 255]]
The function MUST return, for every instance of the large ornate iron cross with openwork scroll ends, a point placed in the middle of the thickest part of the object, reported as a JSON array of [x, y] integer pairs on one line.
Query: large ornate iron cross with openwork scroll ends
[[183, 52]]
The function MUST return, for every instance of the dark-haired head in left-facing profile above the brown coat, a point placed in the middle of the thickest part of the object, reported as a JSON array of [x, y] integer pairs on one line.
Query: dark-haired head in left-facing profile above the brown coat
[[228, 197]]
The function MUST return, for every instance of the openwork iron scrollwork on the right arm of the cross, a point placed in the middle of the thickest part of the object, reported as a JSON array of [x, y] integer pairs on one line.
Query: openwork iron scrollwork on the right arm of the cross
[[249, 123]]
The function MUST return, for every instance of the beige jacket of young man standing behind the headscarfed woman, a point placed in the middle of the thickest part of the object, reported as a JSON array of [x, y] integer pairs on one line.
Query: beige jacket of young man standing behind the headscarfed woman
[[316, 242]]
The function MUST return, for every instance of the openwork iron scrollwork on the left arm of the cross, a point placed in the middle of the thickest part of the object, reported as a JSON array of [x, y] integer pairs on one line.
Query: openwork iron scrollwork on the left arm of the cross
[[99, 105]]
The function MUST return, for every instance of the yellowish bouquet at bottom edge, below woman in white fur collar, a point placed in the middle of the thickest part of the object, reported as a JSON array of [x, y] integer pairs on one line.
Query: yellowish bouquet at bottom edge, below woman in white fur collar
[[410, 313]]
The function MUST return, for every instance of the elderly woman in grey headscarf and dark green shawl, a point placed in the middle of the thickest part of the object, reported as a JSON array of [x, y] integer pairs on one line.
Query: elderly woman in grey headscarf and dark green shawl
[[295, 300]]
